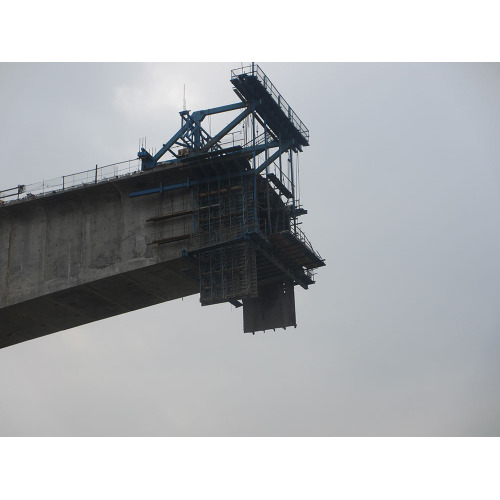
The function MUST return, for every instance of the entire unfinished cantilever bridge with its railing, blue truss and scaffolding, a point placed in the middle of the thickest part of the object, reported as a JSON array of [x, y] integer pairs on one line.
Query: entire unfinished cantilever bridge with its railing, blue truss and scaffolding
[[214, 214]]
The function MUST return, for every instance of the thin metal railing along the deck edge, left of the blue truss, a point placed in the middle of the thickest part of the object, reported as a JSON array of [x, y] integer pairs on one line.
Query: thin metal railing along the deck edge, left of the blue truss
[[65, 182]]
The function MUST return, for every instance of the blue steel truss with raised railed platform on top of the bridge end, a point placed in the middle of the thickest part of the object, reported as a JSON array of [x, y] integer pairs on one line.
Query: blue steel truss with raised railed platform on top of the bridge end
[[282, 132]]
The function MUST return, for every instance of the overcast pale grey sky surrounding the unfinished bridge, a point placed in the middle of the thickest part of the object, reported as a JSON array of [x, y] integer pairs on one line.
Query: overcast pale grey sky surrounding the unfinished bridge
[[400, 336]]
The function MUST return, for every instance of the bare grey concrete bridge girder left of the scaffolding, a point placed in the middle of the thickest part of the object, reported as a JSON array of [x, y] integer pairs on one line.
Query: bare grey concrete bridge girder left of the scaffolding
[[85, 254]]
